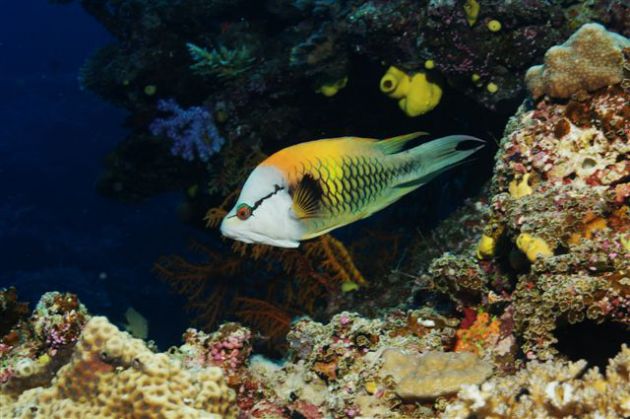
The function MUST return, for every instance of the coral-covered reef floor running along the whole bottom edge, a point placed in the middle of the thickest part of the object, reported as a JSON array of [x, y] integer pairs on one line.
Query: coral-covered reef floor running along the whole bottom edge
[[396, 366]]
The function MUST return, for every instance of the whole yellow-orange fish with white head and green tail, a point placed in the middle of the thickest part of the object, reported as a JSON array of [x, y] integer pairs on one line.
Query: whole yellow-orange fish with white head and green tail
[[311, 188]]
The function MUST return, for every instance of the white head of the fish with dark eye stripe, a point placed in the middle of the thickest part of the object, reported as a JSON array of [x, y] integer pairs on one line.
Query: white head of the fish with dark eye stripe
[[263, 212]]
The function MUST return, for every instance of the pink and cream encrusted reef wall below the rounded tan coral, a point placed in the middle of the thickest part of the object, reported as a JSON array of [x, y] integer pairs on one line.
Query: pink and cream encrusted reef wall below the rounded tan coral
[[572, 221]]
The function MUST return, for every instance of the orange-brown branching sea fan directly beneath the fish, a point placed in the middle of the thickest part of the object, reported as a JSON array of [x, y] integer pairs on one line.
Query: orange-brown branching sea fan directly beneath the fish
[[301, 278]]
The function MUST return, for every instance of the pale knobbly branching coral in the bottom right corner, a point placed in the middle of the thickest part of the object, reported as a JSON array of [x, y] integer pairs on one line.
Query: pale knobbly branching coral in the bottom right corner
[[554, 389]]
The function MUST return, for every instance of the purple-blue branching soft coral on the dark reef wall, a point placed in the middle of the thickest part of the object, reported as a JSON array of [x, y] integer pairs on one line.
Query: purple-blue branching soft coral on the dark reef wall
[[191, 130]]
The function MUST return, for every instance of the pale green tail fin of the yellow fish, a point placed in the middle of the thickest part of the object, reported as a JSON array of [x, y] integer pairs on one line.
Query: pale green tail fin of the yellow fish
[[439, 155]]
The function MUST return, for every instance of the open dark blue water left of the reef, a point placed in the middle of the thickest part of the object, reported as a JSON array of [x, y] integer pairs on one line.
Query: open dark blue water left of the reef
[[56, 232]]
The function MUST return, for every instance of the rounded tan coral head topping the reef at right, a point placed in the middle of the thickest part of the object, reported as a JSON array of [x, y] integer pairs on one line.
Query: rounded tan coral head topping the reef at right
[[590, 59]]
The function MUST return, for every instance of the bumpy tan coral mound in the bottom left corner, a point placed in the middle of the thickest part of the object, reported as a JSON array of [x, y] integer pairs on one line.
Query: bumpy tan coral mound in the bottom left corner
[[112, 375]]
